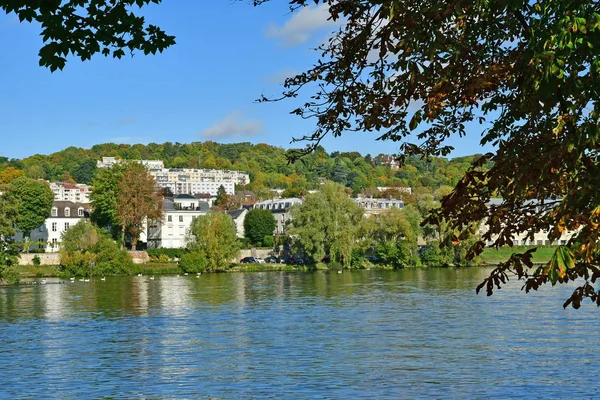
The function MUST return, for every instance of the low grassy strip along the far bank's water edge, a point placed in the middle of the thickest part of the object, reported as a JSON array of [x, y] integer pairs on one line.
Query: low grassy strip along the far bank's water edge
[[489, 257]]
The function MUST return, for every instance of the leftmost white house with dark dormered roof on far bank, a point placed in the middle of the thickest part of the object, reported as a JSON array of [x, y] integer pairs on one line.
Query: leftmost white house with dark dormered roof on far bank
[[64, 214]]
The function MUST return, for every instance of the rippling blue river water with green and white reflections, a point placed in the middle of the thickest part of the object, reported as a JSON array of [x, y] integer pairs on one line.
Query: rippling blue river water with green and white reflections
[[417, 333]]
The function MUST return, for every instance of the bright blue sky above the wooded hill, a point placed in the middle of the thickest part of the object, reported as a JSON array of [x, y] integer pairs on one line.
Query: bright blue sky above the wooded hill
[[228, 53]]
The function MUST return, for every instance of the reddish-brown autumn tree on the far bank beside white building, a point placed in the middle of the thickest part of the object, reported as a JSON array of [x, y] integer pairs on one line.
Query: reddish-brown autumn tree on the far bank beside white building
[[139, 200]]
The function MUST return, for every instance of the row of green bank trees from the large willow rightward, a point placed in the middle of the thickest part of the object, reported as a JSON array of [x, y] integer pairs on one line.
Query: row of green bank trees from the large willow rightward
[[328, 225]]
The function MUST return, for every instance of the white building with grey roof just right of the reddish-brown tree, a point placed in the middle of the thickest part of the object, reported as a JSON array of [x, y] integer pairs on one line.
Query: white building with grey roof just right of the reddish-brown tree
[[179, 213]]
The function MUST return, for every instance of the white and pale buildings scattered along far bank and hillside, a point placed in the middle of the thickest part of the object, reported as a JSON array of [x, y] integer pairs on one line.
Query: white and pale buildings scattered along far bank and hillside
[[194, 192]]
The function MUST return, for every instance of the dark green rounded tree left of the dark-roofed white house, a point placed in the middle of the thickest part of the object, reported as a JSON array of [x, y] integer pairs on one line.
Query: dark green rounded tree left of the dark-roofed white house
[[34, 199]]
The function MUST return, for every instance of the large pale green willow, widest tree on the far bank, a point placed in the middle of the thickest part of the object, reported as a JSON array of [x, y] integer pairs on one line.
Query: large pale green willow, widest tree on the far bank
[[326, 223]]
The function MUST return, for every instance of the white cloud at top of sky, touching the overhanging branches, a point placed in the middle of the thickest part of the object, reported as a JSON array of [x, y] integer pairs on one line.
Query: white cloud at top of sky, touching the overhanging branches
[[303, 23]]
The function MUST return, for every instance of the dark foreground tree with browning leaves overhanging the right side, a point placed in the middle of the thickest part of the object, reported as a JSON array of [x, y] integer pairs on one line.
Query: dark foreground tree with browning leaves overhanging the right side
[[529, 70]]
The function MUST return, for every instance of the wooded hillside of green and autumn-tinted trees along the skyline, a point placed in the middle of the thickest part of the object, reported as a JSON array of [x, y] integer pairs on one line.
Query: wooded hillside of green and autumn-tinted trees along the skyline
[[267, 165]]
